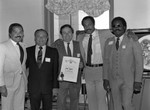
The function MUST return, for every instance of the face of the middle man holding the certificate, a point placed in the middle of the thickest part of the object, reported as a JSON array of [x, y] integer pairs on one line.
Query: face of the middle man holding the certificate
[[67, 34]]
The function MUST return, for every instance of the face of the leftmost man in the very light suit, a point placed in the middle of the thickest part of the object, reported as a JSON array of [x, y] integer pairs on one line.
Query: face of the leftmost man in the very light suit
[[17, 34]]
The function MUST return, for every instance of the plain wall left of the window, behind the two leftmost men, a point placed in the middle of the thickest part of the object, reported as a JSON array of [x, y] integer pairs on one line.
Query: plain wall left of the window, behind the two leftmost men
[[29, 13]]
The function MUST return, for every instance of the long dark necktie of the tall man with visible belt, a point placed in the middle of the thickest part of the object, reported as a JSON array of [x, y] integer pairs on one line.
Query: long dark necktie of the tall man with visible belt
[[89, 51]]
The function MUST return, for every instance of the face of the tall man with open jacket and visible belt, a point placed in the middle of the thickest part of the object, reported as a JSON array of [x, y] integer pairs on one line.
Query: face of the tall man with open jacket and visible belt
[[88, 26]]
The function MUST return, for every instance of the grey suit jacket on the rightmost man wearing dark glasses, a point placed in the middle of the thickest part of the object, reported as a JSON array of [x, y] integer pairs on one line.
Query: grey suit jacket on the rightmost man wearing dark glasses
[[127, 62]]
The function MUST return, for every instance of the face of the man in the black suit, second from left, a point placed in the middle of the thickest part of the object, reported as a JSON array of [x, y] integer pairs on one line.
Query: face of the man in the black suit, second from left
[[41, 38]]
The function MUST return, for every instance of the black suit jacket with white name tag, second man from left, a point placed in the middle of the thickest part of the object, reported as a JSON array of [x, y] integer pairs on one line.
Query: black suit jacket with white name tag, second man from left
[[42, 79]]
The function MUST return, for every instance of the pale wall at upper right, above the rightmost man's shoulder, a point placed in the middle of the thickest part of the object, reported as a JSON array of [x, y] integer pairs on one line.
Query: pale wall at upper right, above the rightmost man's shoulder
[[136, 12]]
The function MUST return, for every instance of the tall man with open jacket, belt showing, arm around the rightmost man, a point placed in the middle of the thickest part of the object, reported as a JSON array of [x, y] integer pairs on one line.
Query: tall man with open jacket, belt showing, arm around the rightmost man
[[93, 71]]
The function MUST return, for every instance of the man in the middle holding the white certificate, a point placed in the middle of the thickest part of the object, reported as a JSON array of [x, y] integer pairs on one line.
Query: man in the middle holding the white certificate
[[68, 88]]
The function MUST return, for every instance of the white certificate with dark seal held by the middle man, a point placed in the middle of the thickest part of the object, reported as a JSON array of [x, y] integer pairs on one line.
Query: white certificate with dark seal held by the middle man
[[69, 69]]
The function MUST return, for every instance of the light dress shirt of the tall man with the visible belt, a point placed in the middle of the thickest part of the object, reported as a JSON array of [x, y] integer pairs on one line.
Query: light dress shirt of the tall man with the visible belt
[[96, 57]]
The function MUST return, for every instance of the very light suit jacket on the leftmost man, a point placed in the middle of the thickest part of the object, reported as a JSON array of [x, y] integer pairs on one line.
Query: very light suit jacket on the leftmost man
[[11, 69]]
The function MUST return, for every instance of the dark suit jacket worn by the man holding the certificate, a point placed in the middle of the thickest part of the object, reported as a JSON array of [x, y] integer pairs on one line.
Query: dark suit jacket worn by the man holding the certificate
[[59, 44]]
